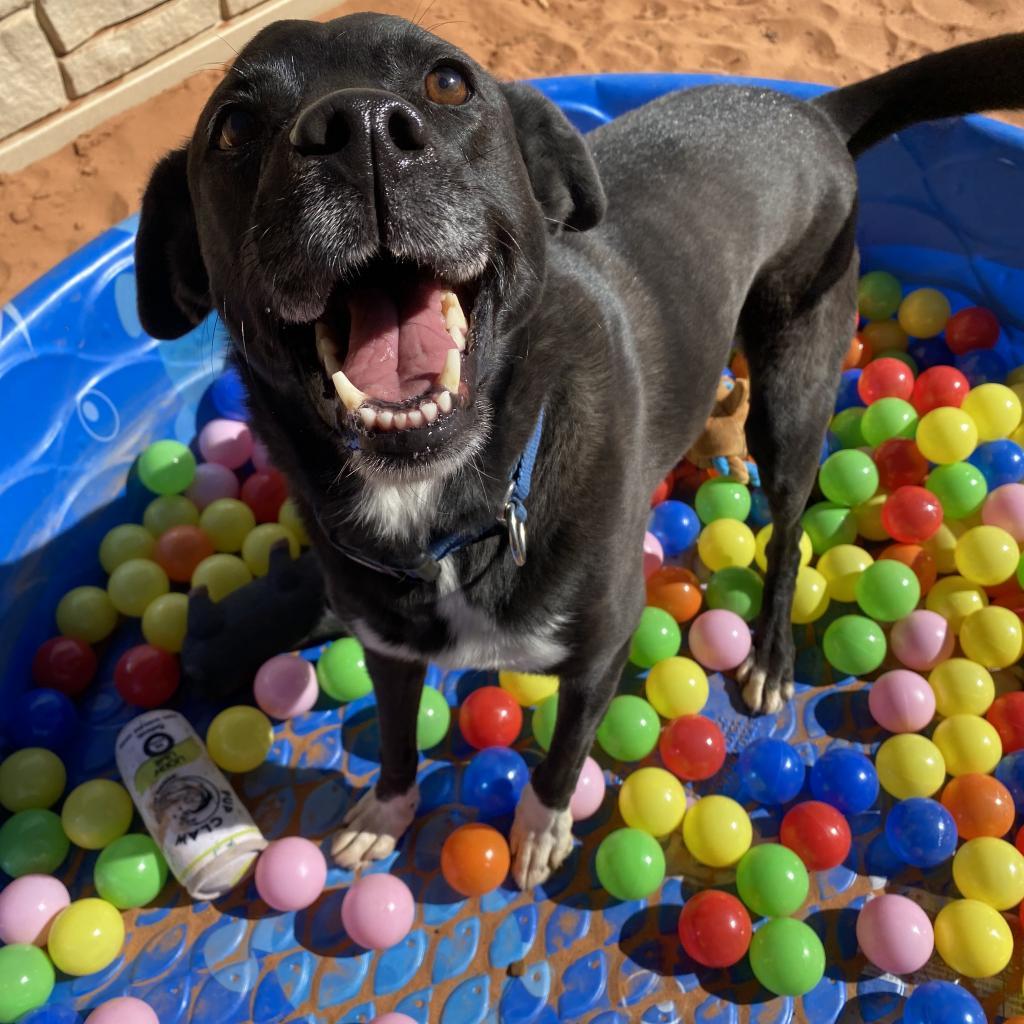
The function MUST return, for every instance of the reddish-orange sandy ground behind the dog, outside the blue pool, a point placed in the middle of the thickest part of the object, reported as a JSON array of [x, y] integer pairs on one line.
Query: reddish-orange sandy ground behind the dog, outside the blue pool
[[55, 206]]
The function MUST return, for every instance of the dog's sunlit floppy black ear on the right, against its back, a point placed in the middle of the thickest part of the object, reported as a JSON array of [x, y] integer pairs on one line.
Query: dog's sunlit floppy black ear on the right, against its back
[[562, 170]]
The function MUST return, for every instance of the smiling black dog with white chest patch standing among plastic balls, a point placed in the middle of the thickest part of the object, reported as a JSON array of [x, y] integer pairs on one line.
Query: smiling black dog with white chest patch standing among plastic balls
[[449, 309]]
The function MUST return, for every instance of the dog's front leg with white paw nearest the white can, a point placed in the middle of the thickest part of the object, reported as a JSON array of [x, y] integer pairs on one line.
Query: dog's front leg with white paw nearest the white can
[[375, 825]]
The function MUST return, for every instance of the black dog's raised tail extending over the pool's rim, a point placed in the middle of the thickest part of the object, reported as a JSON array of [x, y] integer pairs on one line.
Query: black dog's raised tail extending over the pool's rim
[[984, 76]]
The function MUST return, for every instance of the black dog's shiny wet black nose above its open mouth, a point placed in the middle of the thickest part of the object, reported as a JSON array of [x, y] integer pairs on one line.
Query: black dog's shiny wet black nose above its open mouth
[[361, 122]]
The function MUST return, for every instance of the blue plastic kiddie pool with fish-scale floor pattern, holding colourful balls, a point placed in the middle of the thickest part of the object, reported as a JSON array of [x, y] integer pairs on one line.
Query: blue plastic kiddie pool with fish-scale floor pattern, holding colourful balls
[[83, 390]]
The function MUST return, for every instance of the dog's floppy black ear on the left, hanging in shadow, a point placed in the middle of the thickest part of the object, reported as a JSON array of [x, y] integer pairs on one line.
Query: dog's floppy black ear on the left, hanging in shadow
[[174, 289]]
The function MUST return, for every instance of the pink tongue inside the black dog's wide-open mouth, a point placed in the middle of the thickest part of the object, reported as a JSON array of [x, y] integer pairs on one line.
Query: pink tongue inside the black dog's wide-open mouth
[[397, 350]]
